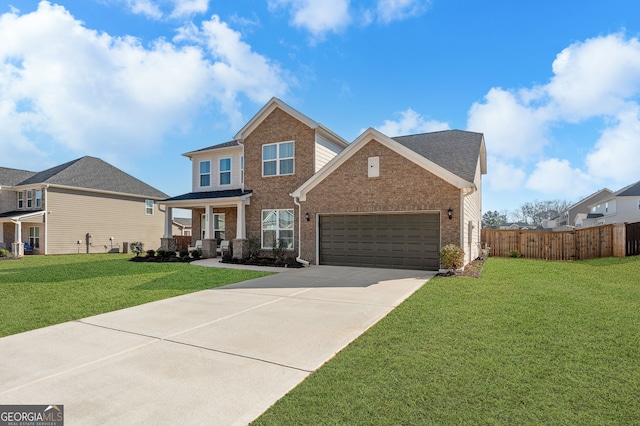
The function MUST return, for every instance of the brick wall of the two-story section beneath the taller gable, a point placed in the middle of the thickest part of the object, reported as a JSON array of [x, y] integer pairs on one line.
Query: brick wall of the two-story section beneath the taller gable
[[273, 192]]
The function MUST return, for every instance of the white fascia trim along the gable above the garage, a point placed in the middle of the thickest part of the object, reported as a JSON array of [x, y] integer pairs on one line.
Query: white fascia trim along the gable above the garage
[[367, 136]]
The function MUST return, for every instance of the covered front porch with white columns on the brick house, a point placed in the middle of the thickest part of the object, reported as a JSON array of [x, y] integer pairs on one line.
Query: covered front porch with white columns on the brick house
[[216, 216]]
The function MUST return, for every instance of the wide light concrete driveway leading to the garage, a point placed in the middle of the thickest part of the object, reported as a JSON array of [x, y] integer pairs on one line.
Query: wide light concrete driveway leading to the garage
[[220, 356]]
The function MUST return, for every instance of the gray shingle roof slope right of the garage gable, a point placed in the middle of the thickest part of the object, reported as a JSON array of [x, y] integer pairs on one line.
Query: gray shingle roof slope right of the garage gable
[[455, 150]]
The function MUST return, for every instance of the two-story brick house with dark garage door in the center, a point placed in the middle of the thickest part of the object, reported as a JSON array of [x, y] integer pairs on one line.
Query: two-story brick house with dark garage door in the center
[[378, 201]]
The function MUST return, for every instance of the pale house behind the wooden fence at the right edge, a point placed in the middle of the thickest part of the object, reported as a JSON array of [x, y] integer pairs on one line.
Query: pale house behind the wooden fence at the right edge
[[620, 207]]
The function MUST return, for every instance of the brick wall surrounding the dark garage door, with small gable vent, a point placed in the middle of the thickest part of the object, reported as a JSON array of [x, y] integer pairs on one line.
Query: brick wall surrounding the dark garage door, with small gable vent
[[402, 186]]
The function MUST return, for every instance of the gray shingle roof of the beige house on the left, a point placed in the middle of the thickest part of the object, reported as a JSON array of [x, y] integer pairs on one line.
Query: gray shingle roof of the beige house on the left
[[90, 173]]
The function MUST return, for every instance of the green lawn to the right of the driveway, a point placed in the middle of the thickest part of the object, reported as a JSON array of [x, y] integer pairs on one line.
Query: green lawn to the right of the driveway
[[529, 343]]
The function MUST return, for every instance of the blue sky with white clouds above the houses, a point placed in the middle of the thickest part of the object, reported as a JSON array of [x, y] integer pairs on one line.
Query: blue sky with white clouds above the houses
[[553, 85]]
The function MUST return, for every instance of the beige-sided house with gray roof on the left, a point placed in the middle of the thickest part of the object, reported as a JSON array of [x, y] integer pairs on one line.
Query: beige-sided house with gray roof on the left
[[83, 206]]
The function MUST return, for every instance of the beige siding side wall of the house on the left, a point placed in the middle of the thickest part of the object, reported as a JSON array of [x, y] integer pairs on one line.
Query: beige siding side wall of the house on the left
[[73, 214]]
